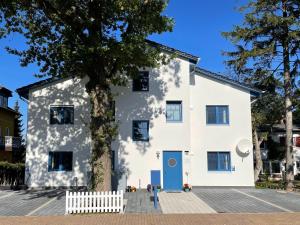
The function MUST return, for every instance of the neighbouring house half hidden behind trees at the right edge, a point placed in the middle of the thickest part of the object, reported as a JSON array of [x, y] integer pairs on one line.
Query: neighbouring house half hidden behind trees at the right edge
[[276, 167]]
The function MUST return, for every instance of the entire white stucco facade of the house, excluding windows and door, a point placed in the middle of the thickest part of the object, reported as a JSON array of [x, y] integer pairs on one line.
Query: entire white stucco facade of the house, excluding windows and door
[[134, 160]]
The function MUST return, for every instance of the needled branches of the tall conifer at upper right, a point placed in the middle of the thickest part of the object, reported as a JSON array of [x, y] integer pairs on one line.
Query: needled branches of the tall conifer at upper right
[[258, 40]]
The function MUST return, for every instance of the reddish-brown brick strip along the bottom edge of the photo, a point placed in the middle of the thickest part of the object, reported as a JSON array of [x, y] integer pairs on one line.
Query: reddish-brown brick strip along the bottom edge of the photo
[[156, 219]]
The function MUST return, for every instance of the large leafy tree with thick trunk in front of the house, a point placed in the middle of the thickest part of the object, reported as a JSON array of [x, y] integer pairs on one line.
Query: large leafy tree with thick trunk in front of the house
[[101, 39]]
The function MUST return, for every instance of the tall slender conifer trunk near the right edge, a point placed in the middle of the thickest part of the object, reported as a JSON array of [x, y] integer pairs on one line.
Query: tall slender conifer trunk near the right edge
[[289, 168]]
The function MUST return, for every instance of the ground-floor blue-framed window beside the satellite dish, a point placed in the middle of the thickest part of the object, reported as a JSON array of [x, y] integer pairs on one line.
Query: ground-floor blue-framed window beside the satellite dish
[[218, 161]]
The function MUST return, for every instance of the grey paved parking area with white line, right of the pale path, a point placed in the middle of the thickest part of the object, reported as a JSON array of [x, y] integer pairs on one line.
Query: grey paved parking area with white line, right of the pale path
[[249, 200]]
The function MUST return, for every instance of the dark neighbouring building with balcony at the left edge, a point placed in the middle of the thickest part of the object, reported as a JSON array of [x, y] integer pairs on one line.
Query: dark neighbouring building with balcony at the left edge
[[8, 143]]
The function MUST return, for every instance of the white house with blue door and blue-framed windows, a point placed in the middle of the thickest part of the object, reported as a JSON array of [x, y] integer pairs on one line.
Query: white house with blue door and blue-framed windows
[[184, 121]]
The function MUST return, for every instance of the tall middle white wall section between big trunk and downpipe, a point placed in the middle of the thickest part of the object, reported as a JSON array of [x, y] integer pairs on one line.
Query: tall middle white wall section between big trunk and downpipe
[[137, 159]]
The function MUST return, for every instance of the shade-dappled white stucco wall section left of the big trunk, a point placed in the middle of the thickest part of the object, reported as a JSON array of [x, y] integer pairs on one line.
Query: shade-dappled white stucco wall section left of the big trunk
[[43, 137]]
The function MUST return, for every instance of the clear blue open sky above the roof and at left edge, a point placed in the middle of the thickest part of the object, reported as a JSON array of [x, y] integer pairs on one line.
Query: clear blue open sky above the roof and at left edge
[[197, 30]]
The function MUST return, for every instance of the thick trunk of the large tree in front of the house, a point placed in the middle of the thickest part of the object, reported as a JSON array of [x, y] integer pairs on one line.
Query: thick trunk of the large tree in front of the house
[[102, 134]]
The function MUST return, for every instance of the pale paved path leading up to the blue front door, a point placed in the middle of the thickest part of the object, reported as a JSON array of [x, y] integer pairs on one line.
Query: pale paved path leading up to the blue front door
[[182, 202]]
